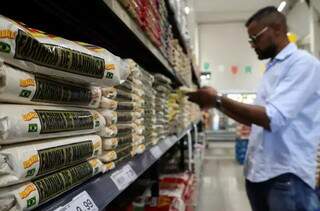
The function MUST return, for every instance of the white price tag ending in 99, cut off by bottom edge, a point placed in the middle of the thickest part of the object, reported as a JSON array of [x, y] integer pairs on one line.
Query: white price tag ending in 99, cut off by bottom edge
[[82, 202]]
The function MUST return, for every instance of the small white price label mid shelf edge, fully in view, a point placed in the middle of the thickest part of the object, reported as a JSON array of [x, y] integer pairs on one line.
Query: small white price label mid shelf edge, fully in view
[[123, 177]]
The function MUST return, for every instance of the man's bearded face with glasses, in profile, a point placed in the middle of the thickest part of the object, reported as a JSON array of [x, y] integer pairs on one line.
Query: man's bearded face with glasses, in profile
[[262, 40]]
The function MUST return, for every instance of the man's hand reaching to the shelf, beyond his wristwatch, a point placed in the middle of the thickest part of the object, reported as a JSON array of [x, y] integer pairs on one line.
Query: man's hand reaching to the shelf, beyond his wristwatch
[[205, 97]]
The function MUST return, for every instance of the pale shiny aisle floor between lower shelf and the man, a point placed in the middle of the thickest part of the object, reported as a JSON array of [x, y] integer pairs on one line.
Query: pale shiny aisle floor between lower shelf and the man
[[222, 187]]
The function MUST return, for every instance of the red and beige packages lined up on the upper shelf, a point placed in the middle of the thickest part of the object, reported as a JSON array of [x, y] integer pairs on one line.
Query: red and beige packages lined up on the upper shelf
[[153, 18]]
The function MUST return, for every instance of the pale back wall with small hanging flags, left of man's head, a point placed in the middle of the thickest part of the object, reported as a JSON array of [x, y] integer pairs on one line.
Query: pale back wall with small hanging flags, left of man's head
[[227, 44]]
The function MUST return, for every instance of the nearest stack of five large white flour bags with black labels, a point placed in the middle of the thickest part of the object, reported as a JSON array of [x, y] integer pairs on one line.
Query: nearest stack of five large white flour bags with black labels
[[50, 130]]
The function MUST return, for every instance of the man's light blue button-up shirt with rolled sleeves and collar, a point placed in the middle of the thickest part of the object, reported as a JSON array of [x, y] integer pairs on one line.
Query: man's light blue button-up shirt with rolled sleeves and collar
[[290, 92]]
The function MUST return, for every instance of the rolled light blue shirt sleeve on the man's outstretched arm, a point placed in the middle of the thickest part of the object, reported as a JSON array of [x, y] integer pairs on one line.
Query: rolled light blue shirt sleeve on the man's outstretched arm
[[293, 92]]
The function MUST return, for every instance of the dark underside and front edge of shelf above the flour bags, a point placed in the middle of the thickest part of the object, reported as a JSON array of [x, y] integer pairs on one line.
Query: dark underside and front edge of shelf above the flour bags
[[110, 27]]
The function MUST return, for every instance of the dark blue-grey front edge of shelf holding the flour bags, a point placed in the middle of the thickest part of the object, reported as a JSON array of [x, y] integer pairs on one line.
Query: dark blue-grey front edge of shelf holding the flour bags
[[102, 189]]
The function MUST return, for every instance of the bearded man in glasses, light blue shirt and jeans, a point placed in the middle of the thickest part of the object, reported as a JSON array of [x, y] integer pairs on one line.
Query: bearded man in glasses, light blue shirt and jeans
[[280, 165]]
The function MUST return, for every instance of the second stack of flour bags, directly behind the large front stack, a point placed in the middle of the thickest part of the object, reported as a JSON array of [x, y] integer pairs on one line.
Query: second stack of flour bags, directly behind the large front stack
[[123, 108]]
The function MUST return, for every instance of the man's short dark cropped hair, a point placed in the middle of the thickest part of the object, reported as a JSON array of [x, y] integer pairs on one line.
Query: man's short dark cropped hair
[[268, 16]]
